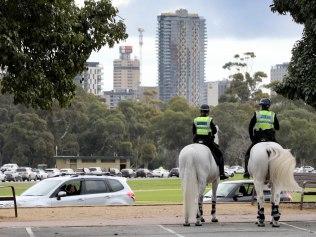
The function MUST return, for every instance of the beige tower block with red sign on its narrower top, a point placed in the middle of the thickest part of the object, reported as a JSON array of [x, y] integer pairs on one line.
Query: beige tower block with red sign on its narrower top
[[126, 74]]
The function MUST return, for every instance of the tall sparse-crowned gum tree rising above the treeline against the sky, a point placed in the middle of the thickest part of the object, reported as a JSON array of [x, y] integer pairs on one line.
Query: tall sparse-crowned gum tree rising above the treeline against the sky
[[243, 86]]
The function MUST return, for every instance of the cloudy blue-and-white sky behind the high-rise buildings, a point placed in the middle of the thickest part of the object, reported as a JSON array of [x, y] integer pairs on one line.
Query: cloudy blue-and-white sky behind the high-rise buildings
[[233, 27]]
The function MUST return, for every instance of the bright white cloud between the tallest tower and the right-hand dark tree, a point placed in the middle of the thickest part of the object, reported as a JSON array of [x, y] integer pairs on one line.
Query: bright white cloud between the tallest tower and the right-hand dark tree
[[268, 52]]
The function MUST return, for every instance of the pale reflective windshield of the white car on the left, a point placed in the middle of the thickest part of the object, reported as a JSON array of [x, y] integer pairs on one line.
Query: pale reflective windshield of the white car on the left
[[42, 188]]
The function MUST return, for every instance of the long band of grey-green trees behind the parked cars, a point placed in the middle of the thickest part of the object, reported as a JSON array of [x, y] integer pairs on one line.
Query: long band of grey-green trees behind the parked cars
[[150, 131]]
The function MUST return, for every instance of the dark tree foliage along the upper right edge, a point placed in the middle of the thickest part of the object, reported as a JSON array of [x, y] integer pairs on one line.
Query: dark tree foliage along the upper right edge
[[301, 80]]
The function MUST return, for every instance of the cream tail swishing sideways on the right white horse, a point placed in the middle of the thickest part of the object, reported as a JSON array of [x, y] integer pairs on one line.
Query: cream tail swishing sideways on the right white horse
[[282, 165]]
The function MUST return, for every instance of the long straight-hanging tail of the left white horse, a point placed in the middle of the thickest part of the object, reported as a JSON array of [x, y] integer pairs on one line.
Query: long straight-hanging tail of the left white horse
[[189, 178]]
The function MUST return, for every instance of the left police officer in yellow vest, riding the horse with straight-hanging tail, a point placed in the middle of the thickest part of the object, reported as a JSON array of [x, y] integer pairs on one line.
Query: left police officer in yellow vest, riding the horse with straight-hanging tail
[[203, 132]]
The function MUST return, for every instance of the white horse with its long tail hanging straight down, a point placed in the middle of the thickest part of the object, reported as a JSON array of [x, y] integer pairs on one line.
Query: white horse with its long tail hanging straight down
[[197, 168]]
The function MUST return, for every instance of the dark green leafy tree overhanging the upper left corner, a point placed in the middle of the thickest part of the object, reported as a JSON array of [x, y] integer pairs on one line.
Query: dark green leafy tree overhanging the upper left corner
[[45, 44]]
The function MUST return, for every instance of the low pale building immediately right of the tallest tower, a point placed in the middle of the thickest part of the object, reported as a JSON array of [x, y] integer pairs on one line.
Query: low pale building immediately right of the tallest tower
[[215, 89]]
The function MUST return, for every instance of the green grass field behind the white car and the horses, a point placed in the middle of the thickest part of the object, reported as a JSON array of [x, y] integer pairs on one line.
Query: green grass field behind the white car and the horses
[[147, 191]]
